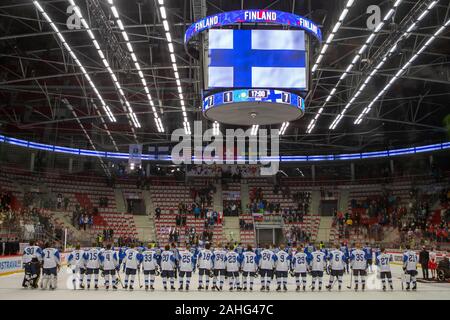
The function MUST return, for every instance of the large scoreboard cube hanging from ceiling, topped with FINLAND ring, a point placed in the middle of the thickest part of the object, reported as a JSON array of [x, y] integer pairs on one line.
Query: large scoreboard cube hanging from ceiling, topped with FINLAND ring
[[255, 65]]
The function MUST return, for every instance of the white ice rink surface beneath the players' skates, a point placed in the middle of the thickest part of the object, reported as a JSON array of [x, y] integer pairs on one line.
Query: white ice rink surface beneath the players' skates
[[10, 288]]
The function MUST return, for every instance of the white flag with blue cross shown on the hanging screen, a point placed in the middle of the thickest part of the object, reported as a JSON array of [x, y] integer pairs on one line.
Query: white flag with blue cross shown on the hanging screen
[[257, 59]]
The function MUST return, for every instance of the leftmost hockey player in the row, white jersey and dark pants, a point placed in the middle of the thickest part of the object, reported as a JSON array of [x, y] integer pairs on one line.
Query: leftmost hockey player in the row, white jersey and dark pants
[[31, 259]]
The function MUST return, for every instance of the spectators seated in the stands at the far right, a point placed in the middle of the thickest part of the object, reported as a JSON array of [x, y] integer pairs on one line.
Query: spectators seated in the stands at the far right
[[413, 221]]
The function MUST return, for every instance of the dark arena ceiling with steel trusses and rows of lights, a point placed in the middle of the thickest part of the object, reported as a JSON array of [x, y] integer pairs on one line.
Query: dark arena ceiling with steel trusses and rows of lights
[[45, 96]]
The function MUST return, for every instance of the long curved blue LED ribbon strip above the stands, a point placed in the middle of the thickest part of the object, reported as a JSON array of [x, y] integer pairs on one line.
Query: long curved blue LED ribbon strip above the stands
[[312, 158]]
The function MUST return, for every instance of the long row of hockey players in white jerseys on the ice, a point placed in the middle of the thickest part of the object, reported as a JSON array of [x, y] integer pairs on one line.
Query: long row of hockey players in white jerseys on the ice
[[238, 266]]
